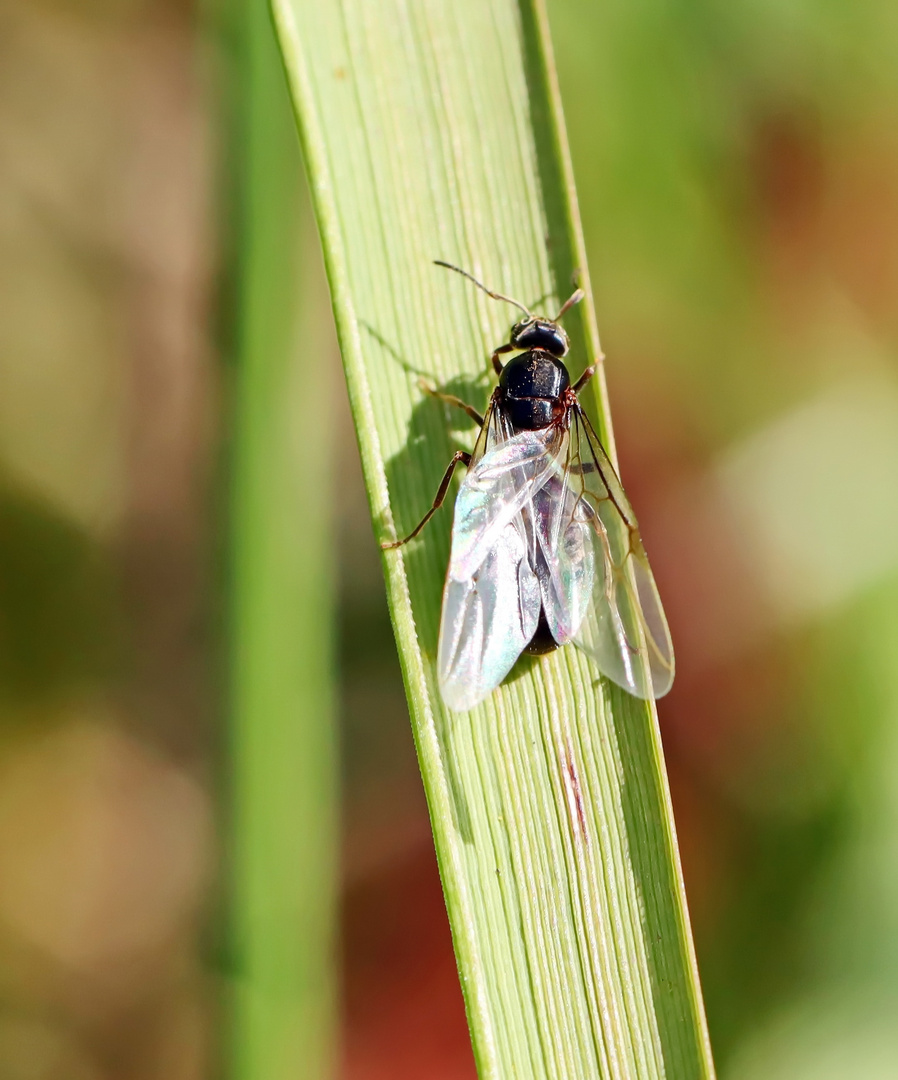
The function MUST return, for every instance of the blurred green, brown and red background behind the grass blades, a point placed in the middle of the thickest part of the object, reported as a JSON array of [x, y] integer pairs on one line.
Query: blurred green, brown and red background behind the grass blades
[[738, 167]]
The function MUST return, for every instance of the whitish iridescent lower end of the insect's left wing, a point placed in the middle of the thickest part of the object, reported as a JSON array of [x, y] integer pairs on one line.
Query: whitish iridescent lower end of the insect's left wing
[[488, 622]]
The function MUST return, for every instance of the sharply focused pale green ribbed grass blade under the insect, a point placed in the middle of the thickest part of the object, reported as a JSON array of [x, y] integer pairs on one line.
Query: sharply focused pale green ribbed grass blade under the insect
[[433, 131]]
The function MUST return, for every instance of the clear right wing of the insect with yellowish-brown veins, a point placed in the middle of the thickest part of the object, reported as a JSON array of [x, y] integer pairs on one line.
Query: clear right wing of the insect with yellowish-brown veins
[[625, 631]]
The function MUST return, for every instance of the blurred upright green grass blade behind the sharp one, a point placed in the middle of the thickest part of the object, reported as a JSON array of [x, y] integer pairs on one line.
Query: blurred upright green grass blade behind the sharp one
[[284, 753]]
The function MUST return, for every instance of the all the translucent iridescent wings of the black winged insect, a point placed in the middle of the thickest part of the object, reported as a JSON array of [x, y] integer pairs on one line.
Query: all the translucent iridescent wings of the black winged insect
[[542, 524]]
